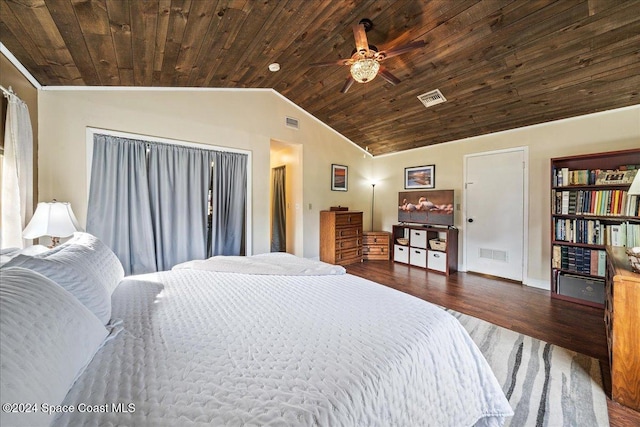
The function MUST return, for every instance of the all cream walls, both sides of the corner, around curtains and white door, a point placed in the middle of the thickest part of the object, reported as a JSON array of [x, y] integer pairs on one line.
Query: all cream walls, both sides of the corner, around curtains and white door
[[251, 119]]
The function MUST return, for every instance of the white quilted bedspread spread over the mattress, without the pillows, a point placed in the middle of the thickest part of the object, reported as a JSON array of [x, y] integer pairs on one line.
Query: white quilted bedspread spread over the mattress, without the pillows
[[225, 349]]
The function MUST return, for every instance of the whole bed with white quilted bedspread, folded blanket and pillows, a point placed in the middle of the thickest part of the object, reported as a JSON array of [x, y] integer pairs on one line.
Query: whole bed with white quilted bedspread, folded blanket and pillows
[[233, 341]]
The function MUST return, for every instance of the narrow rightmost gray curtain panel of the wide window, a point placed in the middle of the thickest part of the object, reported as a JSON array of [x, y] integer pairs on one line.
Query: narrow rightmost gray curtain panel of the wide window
[[229, 204]]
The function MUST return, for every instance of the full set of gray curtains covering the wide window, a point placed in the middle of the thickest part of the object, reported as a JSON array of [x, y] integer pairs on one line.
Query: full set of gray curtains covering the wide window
[[148, 202]]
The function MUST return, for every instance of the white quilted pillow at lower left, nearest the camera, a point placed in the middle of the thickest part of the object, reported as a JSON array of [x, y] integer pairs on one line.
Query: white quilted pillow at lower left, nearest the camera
[[47, 338]]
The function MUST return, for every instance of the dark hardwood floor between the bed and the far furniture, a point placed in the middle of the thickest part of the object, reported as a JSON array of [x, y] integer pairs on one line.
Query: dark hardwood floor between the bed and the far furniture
[[520, 308]]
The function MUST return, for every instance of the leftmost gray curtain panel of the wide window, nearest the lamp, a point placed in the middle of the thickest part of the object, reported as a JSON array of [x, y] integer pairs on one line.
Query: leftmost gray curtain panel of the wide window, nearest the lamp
[[119, 212]]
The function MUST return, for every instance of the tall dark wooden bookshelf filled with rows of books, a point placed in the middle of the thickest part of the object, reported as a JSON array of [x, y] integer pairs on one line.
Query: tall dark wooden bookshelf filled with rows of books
[[590, 210]]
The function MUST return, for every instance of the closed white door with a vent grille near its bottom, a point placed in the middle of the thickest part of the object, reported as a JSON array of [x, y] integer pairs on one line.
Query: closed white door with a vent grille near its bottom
[[495, 213]]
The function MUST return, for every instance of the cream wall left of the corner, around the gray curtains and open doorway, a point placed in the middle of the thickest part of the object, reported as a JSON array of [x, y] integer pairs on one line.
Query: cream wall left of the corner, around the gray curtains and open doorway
[[245, 119]]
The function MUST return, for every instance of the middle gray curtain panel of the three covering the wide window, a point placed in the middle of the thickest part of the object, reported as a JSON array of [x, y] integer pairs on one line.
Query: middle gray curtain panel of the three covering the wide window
[[178, 185]]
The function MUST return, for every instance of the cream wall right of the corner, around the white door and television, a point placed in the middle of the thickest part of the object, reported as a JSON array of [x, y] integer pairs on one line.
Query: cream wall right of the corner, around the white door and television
[[606, 131]]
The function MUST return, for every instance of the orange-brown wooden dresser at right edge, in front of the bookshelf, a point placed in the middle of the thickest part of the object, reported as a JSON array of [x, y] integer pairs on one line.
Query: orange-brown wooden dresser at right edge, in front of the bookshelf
[[622, 320]]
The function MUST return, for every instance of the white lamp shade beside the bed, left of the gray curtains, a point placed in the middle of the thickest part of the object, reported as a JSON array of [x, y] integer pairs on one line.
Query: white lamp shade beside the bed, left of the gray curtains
[[55, 219]]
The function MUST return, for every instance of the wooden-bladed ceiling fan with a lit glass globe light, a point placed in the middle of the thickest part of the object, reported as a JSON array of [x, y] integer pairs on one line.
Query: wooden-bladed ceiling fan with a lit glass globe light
[[365, 59]]
